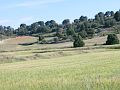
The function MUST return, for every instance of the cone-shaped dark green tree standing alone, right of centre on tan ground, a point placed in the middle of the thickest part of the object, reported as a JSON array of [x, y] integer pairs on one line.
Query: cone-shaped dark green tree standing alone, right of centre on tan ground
[[78, 42]]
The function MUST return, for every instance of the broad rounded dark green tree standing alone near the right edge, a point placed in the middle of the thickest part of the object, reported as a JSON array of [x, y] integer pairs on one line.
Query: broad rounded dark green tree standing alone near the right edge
[[112, 39]]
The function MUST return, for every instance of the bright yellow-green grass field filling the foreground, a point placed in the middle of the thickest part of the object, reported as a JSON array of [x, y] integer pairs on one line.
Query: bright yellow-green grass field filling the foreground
[[86, 71]]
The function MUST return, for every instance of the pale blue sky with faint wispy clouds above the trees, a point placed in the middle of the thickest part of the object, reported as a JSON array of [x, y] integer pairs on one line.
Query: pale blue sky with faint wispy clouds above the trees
[[15, 12]]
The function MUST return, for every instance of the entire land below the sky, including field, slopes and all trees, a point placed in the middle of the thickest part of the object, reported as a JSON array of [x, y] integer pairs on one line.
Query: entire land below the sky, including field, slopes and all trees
[[43, 55]]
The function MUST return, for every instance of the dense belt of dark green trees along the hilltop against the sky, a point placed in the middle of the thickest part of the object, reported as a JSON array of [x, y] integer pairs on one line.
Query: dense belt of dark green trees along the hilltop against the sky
[[83, 27]]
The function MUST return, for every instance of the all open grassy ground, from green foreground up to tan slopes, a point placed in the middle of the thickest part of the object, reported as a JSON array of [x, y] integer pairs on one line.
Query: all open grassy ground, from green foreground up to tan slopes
[[58, 66]]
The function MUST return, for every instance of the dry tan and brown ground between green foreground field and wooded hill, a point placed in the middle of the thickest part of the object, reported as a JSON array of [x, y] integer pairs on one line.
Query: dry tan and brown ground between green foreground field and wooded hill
[[14, 49]]
